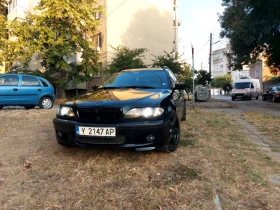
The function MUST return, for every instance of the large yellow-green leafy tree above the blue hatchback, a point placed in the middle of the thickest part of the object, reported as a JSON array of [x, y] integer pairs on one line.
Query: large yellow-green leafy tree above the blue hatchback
[[53, 35]]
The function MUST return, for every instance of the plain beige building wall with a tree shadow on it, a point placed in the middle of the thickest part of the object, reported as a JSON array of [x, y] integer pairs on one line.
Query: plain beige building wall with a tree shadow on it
[[137, 24]]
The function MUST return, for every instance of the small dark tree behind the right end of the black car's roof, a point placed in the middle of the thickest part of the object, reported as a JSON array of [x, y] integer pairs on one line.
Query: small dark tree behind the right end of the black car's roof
[[169, 60]]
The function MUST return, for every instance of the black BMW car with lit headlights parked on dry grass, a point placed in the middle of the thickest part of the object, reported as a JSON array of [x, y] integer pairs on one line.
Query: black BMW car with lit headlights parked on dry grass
[[134, 108]]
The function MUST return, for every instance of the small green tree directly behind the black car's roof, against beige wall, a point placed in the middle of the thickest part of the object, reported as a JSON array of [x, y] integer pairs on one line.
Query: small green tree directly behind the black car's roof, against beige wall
[[126, 58]]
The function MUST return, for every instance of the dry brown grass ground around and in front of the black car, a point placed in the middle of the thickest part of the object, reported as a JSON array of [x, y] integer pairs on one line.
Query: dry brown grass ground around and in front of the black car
[[213, 157]]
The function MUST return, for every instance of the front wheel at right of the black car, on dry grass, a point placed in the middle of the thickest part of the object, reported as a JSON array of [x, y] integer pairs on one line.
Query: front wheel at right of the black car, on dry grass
[[174, 134]]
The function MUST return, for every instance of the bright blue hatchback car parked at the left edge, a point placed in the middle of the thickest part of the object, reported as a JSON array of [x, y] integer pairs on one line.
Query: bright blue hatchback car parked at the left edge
[[26, 90]]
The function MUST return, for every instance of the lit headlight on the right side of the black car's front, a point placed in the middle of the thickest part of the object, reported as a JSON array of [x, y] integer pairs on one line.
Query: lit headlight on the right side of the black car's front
[[147, 112]]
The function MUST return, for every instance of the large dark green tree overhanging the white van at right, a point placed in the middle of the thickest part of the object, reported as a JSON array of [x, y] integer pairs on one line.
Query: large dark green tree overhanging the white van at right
[[253, 29]]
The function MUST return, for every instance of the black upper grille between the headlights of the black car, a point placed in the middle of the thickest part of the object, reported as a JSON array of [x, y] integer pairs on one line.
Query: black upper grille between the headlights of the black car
[[100, 114]]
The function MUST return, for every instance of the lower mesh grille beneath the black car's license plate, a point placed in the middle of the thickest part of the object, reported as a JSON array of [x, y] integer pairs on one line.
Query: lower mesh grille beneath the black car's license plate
[[97, 140]]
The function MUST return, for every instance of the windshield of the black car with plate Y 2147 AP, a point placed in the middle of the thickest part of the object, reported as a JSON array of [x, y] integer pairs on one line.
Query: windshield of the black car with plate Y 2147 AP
[[138, 79]]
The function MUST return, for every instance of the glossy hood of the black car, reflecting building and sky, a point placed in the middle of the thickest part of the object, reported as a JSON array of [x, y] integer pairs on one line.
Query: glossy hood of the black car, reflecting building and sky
[[121, 97]]
